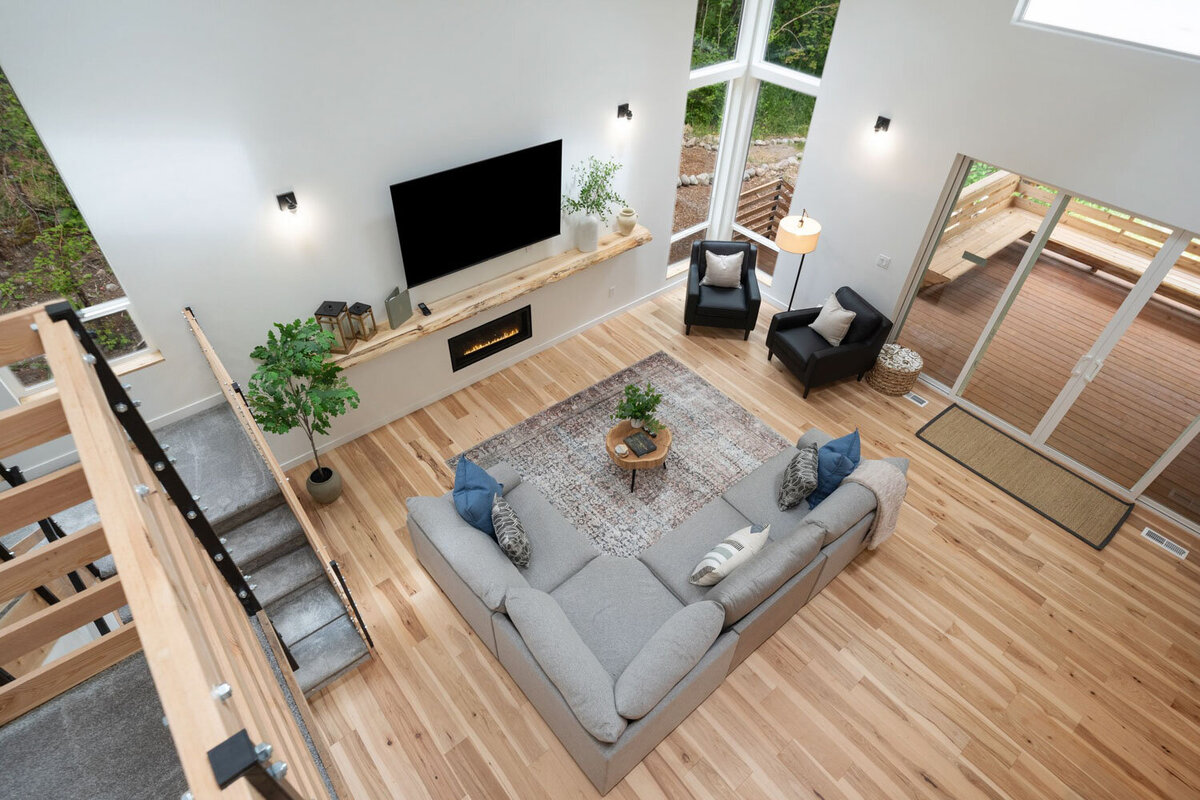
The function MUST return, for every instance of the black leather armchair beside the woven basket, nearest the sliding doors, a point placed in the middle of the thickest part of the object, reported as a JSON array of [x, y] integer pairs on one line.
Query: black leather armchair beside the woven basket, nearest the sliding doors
[[812, 358]]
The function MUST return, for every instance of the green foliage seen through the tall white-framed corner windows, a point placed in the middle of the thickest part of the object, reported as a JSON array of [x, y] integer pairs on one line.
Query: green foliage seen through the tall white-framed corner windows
[[799, 40]]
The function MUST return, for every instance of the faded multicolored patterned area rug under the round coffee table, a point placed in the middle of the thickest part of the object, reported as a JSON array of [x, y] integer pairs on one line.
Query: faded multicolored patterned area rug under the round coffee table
[[562, 453]]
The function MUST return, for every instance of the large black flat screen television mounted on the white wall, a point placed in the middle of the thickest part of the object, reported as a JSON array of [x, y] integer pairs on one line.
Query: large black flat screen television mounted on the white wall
[[463, 216]]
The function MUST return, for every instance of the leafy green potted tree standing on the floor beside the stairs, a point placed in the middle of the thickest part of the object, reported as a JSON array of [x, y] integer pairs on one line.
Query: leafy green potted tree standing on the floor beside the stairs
[[298, 387]]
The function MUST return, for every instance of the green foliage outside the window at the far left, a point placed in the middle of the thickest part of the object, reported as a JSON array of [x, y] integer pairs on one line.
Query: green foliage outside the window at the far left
[[46, 249]]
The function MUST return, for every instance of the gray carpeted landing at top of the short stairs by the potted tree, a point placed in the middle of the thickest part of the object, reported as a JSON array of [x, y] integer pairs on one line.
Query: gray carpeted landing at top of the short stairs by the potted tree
[[217, 461]]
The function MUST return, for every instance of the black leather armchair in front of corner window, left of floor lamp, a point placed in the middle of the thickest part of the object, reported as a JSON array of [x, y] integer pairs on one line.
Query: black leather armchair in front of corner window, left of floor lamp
[[718, 306]]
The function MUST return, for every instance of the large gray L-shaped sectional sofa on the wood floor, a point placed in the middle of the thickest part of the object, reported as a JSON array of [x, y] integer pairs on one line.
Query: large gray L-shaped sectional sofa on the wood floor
[[614, 652]]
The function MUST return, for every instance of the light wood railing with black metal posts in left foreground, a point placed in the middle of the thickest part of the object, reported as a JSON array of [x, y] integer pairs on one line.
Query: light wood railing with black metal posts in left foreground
[[213, 678]]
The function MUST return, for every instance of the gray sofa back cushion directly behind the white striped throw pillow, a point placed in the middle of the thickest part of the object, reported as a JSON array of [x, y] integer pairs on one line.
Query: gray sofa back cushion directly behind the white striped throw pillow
[[758, 580]]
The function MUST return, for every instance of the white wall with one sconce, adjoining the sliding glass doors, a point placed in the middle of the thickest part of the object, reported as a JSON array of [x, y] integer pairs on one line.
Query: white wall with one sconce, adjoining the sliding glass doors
[[1108, 122]]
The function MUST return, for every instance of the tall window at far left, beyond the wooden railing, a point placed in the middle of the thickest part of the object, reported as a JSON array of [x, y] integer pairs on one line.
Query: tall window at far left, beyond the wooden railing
[[47, 251]]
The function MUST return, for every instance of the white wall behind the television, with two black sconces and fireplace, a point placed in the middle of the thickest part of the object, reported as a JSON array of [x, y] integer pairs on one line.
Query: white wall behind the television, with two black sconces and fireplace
[[176, 125]]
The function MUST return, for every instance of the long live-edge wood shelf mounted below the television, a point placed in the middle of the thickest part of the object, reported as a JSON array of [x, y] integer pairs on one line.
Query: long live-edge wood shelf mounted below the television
[[491, 294]]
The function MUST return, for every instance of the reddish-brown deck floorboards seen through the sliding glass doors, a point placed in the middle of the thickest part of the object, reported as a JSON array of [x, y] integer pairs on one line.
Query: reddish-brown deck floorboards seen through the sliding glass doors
[[1147, 394]]
